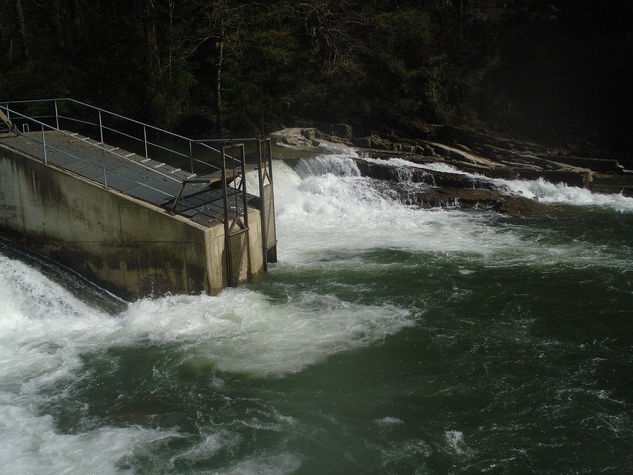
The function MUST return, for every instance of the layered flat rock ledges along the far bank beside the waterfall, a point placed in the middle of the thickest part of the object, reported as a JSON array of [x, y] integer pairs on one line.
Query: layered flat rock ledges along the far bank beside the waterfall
[[474, 163]]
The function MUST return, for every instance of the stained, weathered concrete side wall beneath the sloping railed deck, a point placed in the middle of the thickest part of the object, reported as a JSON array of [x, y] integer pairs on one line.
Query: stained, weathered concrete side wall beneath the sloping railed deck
[[127, 246]]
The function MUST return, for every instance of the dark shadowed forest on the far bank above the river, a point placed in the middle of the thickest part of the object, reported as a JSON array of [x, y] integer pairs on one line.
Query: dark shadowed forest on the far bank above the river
[[560, 72]]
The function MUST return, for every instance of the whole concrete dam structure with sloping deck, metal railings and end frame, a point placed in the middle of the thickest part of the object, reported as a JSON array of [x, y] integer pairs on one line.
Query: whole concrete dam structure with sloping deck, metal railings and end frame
[[137, 210]]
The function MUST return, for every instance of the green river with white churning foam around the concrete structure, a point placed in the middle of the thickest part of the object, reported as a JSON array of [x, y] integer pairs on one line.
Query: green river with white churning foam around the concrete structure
[[388, 339]]
